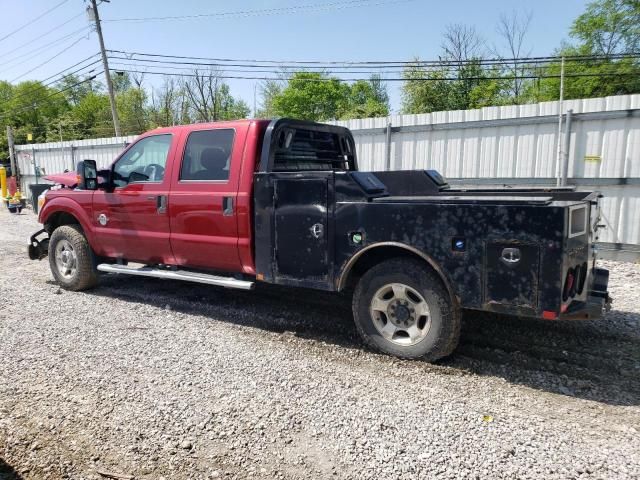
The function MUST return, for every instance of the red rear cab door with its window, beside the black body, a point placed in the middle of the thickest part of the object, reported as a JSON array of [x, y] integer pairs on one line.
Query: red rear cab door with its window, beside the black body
[[203, 199]]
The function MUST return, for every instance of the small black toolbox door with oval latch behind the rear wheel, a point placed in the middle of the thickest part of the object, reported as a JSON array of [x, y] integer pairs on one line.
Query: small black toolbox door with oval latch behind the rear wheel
[[511, 274]]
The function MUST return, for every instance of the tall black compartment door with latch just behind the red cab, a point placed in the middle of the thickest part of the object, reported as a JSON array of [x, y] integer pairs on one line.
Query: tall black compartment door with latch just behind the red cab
[[301, 227]]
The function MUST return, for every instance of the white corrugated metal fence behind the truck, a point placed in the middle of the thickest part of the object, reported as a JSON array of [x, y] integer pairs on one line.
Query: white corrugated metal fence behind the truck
[[493, 145]]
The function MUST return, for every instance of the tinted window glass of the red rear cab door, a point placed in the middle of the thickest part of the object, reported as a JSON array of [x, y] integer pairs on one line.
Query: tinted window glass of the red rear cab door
[[207, 155]]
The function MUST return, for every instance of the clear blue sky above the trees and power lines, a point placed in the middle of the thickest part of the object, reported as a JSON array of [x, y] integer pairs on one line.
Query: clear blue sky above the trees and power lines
[[391, 30]]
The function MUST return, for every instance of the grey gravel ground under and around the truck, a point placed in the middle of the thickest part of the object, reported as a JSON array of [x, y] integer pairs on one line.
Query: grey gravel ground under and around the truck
[[158, 379]]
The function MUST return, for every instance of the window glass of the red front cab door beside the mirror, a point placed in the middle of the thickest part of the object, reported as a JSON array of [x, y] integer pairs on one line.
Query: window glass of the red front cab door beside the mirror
[[145, 161]]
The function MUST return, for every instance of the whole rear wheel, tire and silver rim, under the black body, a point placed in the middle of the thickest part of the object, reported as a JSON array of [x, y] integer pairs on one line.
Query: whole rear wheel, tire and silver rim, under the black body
[[402, 308]]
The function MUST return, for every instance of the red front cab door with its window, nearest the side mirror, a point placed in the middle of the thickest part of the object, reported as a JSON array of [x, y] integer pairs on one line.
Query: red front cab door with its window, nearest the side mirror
[[132, 222]]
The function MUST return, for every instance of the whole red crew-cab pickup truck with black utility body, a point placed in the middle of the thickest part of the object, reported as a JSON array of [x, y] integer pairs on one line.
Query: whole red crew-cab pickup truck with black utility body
[[283, 202]]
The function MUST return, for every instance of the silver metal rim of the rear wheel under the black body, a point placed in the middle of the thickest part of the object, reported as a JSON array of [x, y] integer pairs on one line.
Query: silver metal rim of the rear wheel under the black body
[[400, 314]]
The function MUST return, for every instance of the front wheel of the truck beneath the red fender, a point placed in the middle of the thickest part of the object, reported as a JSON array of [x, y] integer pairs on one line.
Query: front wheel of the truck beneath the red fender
[[85, 274]]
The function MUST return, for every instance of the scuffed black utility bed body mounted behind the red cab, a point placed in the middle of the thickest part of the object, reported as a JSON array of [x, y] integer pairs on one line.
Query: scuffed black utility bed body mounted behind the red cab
[[506, 250]]
